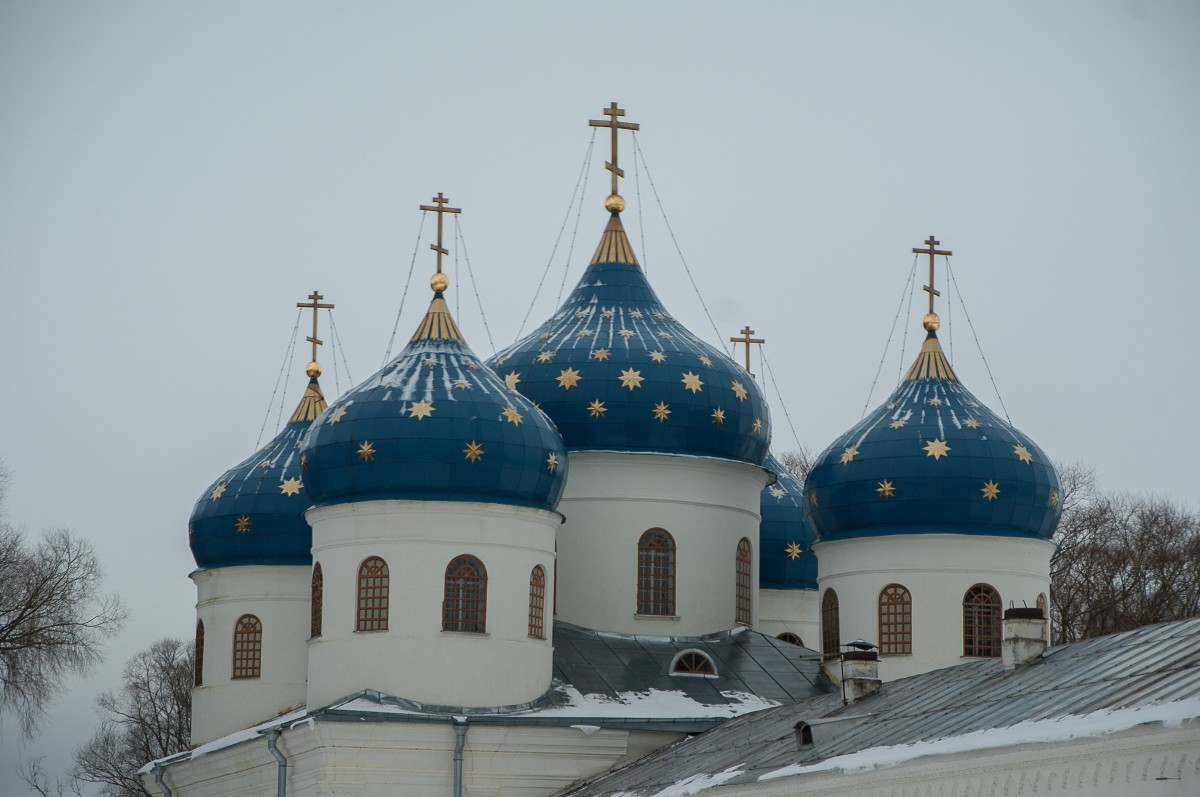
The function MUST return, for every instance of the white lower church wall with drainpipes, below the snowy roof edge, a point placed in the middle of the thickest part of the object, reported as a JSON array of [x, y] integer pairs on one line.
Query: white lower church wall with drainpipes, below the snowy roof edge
[[410, 760]]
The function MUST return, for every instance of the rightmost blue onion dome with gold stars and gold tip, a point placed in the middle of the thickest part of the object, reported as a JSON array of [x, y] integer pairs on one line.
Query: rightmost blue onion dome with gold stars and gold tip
[[933, 459]]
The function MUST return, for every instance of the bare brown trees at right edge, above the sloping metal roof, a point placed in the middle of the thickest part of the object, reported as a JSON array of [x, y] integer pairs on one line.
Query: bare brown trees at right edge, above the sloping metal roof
[[1123, 561]]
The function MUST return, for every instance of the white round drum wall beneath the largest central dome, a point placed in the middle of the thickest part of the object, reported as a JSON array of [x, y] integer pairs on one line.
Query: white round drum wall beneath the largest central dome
[[707, 506]]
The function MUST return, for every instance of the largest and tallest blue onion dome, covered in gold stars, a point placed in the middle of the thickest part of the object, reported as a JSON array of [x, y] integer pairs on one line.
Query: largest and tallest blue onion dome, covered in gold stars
[[616, 373]]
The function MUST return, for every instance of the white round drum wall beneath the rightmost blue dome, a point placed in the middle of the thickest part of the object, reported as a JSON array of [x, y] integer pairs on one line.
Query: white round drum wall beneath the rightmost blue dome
[[938, 570]]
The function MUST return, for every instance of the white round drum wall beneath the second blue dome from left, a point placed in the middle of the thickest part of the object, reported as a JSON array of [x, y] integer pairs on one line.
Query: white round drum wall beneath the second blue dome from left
[[415, 658]]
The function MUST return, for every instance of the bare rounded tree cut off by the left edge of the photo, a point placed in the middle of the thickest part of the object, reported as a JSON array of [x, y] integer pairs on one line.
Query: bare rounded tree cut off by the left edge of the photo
[[53, 618]]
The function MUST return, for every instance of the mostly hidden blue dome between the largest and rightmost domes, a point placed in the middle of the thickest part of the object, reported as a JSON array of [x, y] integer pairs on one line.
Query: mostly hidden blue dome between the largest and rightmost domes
[[785, 536]]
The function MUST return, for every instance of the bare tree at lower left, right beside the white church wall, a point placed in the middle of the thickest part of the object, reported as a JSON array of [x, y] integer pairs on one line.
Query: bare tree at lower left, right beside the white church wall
[[148, 720]]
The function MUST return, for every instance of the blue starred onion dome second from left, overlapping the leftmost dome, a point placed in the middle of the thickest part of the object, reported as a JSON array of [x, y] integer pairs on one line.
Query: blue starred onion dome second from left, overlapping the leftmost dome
[[435, 424]]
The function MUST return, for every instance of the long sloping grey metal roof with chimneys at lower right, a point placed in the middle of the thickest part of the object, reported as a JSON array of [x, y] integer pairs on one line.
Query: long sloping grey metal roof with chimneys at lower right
[[1157, 664]]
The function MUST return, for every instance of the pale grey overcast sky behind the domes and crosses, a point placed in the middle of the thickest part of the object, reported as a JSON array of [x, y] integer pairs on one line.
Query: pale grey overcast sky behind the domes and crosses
[[175, 178]]
